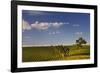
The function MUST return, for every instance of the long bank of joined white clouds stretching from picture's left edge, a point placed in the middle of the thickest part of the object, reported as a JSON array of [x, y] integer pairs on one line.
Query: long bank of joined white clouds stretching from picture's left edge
[[40, 25]]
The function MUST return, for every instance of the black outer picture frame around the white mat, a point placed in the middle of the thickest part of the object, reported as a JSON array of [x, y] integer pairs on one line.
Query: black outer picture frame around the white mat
[[14, 65]]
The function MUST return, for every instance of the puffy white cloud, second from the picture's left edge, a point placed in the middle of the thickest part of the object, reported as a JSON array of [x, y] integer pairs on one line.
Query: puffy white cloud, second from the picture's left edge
[[40, 26]]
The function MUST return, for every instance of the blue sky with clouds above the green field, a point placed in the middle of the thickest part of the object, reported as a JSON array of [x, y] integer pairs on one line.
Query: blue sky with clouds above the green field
[[54, 28]]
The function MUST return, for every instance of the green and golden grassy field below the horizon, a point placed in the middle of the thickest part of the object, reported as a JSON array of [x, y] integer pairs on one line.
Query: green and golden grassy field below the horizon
[[49, 53]]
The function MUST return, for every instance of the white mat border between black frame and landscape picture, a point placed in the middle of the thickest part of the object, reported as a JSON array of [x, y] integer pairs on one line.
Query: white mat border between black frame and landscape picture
[[53, 63]]
